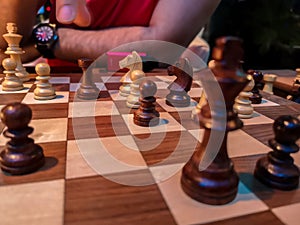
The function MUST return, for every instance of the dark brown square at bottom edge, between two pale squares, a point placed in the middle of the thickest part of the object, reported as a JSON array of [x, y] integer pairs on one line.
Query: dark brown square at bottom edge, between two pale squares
[[99, 199]]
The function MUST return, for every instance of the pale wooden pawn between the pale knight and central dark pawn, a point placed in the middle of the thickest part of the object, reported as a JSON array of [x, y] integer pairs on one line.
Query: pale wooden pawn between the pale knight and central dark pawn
[[137, 77]]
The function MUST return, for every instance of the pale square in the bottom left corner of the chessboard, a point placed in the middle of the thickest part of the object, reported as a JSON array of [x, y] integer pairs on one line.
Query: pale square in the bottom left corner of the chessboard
[[33, 203]]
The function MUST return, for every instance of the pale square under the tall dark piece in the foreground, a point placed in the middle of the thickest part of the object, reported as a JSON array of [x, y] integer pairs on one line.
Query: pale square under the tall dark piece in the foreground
[[188, 211]]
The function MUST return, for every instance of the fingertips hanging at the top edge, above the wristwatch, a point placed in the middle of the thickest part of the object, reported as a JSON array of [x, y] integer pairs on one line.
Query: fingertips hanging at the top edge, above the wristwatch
[[73, 11]]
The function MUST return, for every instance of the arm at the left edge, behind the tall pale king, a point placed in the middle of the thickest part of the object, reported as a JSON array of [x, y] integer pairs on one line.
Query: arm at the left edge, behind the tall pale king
[[23, 13]]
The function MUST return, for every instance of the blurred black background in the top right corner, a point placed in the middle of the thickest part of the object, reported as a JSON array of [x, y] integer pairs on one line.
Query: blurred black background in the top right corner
[[270, 30]]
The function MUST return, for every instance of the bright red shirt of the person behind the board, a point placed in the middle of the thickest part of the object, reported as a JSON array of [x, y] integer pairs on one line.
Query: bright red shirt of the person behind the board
[[115, 13]]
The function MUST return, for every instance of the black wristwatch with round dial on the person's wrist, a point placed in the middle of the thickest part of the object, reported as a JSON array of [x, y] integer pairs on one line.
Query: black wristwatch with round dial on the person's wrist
[[45, 37]]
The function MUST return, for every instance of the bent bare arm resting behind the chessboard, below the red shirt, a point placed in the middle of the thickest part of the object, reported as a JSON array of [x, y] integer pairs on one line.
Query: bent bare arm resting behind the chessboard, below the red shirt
[[176, 21]]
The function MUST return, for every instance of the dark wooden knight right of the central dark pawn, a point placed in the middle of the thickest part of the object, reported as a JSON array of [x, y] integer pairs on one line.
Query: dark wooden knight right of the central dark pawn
[[178, 96]]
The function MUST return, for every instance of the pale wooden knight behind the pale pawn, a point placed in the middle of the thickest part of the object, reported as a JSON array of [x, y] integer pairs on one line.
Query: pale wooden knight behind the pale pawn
[[131, 62]]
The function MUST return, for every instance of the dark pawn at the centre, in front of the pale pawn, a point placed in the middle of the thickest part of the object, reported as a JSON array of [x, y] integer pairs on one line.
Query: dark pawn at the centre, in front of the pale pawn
[[146, 115]]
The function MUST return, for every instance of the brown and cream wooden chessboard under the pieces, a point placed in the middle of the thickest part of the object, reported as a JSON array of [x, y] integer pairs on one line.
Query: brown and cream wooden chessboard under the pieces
[[102, 169]]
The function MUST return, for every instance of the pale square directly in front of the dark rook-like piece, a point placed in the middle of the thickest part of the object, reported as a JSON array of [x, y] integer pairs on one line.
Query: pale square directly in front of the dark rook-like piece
[[92, 108]]
